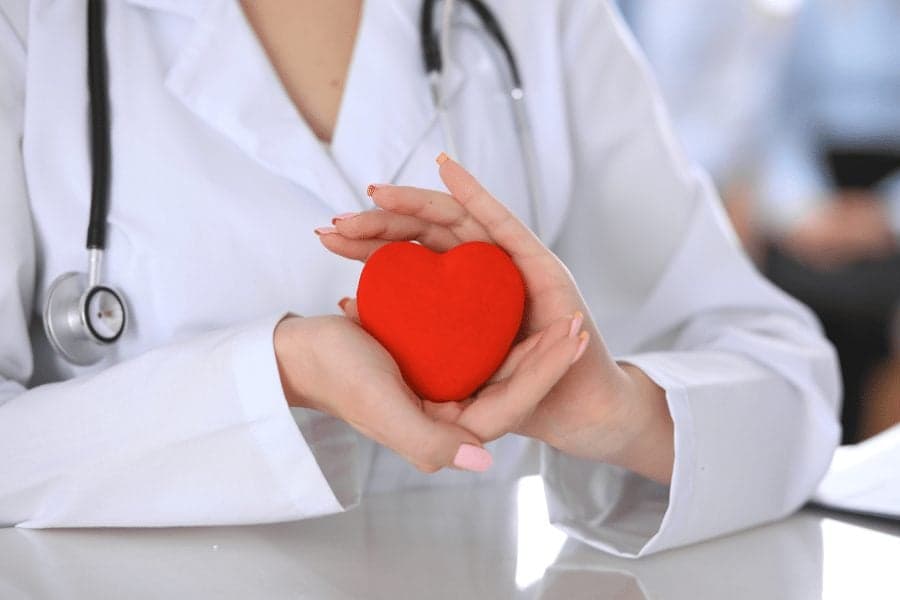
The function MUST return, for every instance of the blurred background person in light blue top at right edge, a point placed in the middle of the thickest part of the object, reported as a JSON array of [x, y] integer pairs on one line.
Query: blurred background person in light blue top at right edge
[[833, 150]]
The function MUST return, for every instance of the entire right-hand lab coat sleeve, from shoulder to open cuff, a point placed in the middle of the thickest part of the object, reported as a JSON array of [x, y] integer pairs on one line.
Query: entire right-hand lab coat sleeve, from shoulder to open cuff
[[751, 384]]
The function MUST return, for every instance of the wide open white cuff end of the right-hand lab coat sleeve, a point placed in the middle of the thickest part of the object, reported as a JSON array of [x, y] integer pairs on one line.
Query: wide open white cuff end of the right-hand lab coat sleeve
[[748, 449]]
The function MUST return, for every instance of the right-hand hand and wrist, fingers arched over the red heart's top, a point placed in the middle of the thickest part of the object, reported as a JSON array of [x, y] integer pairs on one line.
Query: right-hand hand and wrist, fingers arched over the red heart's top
[[599, 410]]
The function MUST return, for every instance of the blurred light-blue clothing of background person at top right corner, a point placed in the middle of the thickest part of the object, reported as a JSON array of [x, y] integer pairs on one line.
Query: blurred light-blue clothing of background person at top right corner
[[840, 89]]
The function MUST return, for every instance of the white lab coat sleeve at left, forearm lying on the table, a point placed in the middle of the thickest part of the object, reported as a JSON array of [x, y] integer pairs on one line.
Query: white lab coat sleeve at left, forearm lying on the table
[[193, 433]]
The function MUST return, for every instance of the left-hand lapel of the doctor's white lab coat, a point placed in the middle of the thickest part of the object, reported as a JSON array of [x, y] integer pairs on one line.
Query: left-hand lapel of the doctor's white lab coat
[[225, 78]]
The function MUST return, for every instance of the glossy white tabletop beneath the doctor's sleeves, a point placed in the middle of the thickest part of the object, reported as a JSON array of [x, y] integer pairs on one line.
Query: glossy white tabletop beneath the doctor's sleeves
[[488, 542]]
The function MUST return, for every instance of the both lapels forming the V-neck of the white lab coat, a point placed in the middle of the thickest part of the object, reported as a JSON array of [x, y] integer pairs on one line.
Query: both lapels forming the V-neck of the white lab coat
[[225, 78]]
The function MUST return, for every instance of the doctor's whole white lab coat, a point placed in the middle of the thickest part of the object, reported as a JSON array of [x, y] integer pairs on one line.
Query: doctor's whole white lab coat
[[217, 185]]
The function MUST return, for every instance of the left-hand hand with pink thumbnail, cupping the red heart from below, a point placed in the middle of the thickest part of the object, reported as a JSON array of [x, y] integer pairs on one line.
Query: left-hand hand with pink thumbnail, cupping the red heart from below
[[332, 365]]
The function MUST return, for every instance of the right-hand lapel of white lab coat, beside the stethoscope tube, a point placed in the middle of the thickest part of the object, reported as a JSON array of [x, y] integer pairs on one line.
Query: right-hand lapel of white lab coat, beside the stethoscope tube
[[387, 107]]
